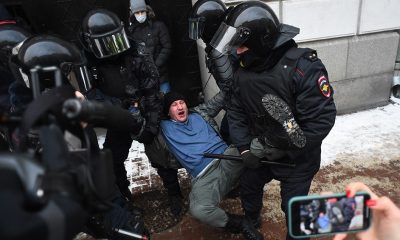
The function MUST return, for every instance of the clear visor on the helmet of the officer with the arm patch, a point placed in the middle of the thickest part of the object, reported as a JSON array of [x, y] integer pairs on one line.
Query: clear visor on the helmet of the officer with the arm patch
[[228, 37]]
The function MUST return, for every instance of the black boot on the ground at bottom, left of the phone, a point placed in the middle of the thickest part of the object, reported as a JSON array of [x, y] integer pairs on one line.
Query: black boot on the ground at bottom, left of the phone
[[240, 224]]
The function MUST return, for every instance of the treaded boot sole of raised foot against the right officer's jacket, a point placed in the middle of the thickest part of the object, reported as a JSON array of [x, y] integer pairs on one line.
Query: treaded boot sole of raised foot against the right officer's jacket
[[283, 118]]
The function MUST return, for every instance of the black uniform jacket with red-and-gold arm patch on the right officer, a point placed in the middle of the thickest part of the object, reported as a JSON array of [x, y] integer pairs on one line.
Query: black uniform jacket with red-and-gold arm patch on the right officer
[[301, 80]]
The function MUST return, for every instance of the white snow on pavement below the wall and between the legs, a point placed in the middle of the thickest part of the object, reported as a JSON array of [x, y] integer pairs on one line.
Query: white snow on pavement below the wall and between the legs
[[374, 133]]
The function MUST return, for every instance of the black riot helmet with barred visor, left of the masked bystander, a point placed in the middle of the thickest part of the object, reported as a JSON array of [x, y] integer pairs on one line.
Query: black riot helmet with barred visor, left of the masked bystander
[[104, 33]]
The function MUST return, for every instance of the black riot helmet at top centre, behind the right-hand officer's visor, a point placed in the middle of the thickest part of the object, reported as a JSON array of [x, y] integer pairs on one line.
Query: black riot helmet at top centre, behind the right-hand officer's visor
[[205, 18]]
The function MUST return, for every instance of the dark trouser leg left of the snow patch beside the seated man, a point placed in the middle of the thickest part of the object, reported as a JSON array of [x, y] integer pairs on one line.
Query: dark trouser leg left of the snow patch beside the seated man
[[119, 143]]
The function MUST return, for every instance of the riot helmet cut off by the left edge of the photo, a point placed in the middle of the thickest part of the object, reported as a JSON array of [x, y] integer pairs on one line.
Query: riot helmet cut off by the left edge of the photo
[[10, 36]]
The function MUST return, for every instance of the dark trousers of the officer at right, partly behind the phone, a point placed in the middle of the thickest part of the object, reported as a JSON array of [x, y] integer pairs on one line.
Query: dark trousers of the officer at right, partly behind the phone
[[252, 189]]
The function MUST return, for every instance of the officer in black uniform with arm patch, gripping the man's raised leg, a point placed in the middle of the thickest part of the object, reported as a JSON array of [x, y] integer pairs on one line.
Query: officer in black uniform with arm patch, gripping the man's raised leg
[[281, 95]]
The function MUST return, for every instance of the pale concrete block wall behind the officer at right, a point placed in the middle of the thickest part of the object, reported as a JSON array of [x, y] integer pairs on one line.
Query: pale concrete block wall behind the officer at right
[[358, 41]]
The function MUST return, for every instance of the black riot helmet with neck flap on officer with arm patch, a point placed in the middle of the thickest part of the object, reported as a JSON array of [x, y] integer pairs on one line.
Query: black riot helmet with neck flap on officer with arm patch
[[254, 25]]
